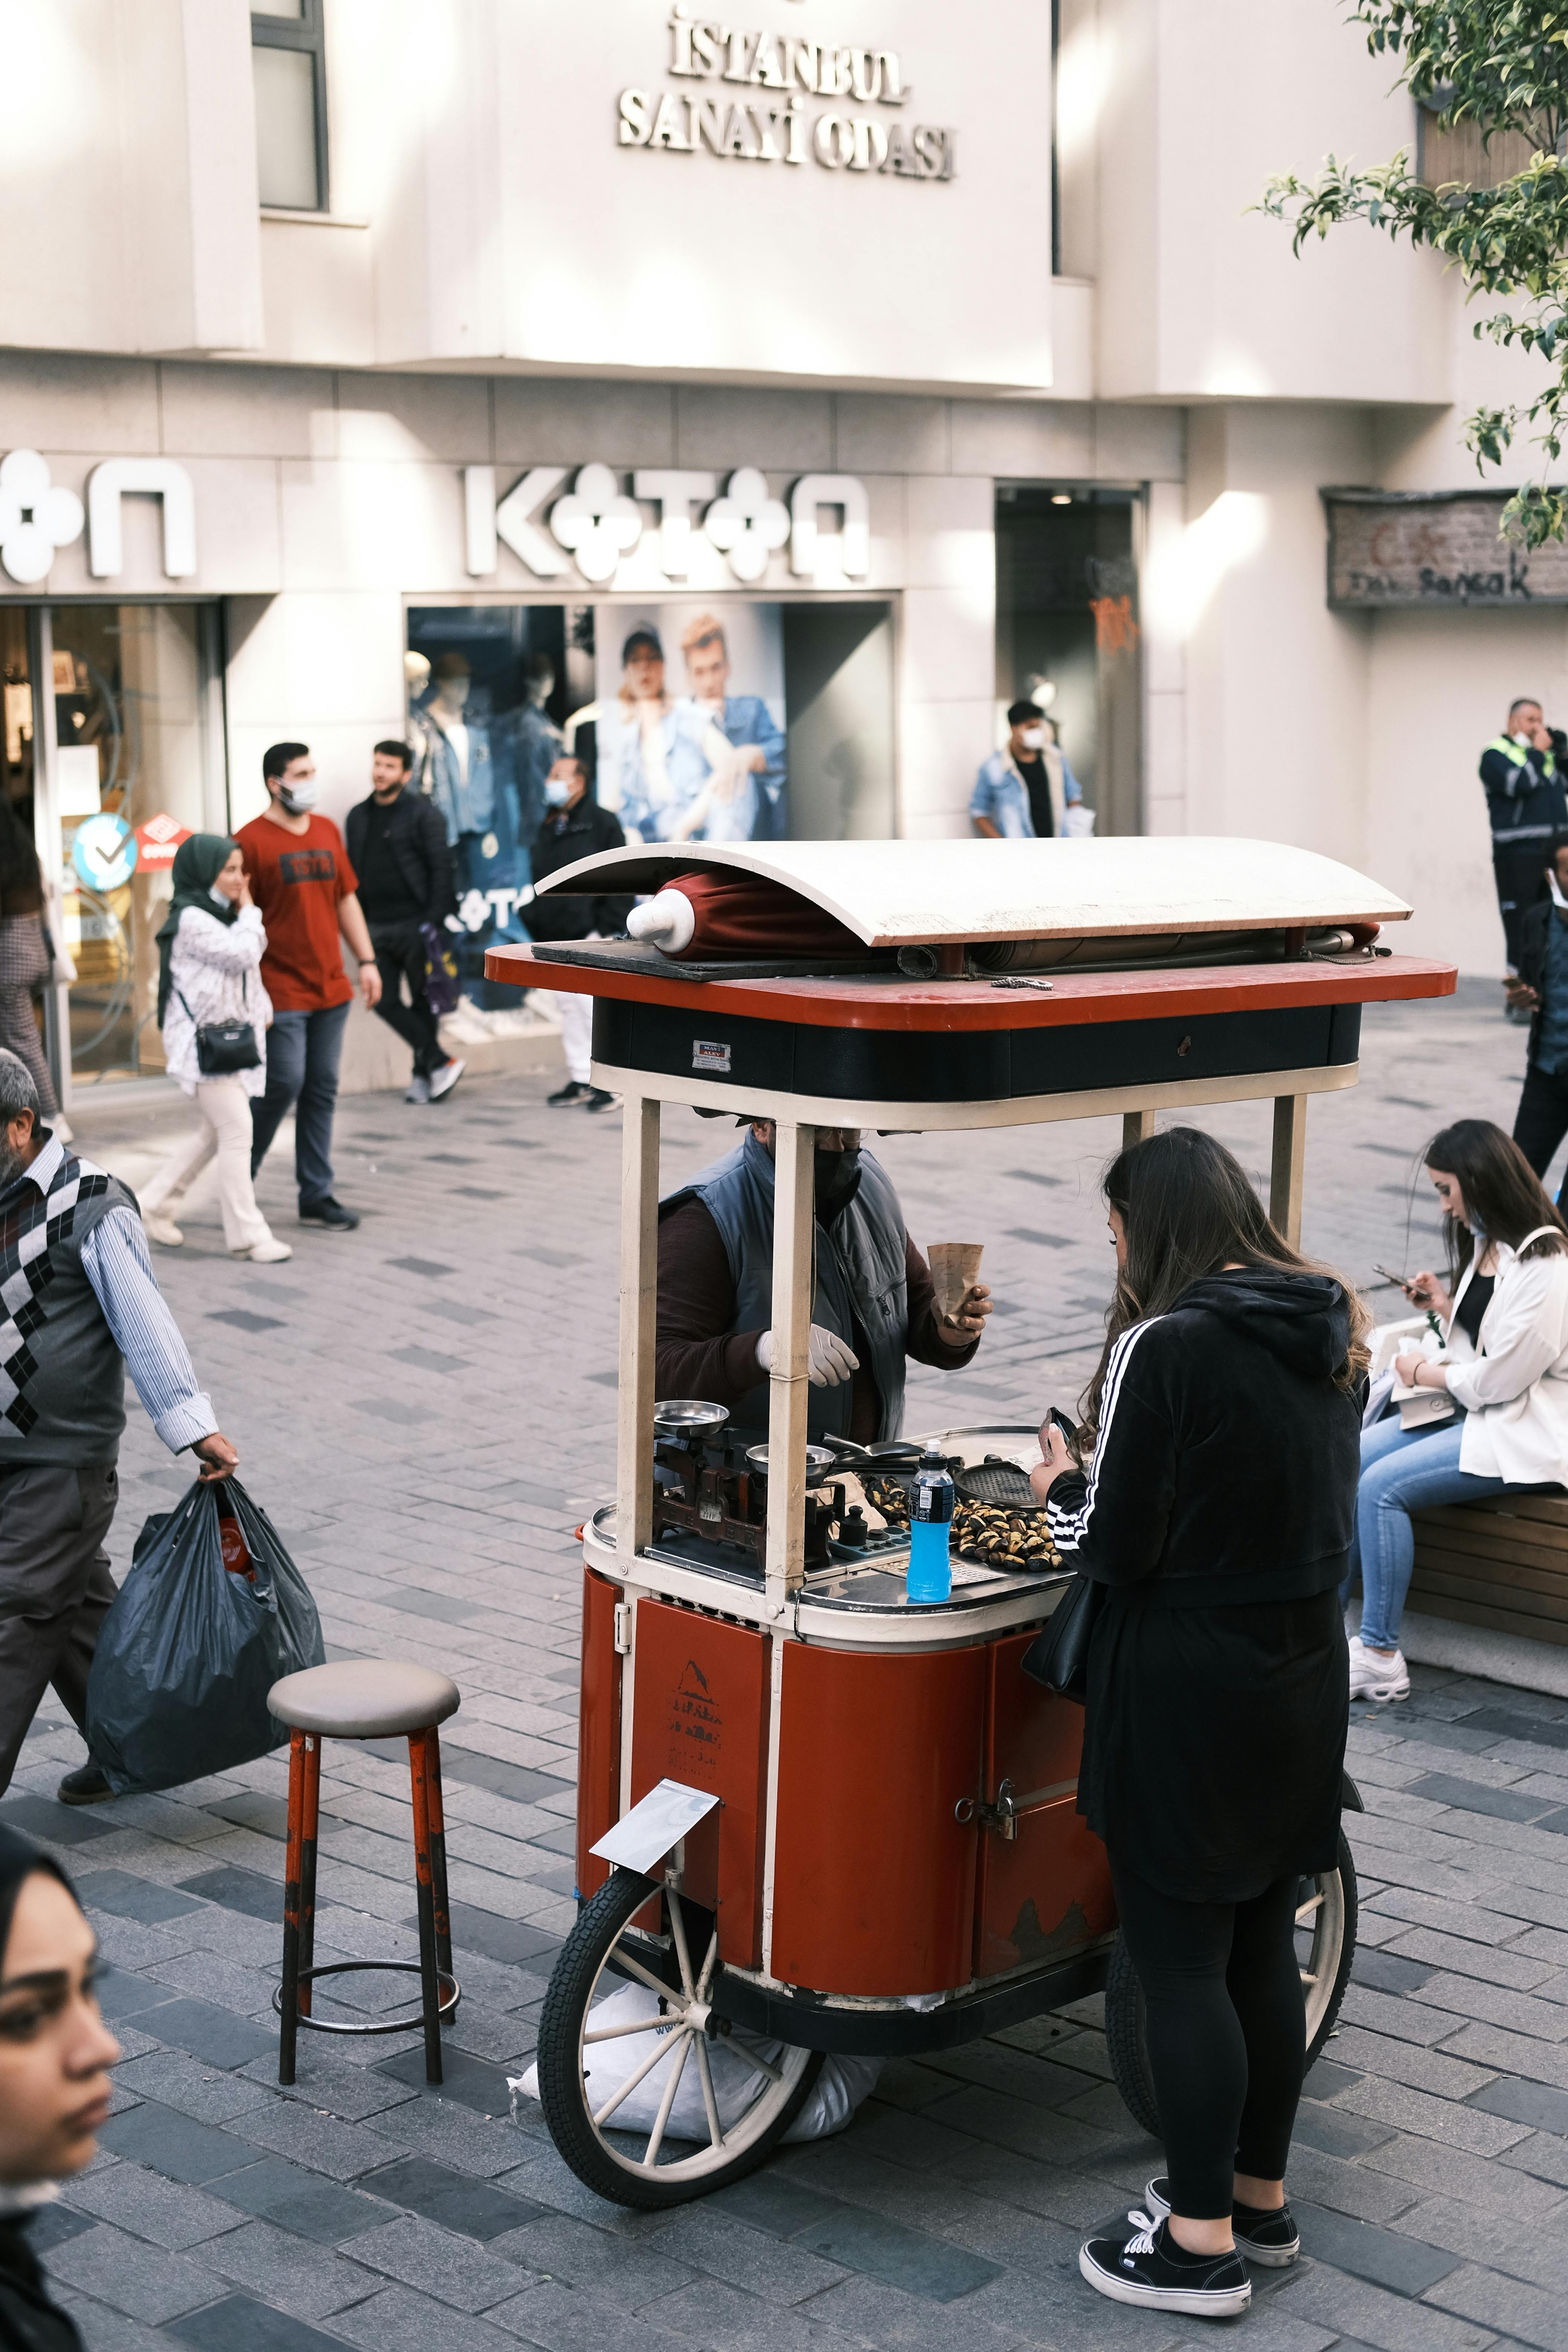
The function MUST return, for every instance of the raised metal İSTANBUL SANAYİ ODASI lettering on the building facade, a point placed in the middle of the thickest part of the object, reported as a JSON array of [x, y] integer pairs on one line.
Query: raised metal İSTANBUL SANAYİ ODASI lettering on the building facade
[[758, 107]]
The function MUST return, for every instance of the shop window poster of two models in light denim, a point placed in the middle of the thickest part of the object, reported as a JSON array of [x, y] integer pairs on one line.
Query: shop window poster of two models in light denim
[[692, 721]]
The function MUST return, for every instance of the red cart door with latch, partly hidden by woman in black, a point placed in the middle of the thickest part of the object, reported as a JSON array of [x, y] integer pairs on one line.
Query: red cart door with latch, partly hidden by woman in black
[[1047, 1890]]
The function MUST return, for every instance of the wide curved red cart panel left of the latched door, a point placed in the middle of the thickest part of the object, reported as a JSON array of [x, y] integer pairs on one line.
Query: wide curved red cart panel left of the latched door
[[873, 1878]]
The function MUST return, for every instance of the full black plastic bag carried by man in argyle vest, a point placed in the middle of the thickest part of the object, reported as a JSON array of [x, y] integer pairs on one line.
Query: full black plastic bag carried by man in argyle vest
[[192, 1648]]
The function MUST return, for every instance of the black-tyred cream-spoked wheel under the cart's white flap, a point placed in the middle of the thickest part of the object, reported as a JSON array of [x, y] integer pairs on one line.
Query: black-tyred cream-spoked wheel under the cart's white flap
[[603, 1956]]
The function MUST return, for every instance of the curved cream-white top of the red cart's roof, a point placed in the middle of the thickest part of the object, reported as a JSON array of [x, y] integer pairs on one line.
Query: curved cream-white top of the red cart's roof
[[899, 895]]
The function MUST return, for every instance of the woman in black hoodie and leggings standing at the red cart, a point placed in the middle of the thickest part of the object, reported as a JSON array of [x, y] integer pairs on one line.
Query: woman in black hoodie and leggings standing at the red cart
[[1217, 1516]]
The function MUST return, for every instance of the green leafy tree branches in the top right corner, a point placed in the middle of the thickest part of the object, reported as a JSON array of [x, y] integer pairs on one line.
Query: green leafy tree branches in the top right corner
[[1503, 67]]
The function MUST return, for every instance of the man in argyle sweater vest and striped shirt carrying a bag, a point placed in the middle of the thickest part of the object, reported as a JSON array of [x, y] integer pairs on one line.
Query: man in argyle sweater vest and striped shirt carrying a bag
[[81, 1311]]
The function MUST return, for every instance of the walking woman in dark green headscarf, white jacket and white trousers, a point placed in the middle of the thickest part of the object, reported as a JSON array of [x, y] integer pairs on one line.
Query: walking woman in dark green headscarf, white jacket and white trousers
[[210, 970]]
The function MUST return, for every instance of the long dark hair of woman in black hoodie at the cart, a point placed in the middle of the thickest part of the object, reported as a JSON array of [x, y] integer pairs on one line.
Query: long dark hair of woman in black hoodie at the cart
[[1188, 1210]]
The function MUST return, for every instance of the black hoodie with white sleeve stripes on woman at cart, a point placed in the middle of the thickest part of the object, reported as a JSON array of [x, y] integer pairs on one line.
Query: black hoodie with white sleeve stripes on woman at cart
[[1228, 1457]]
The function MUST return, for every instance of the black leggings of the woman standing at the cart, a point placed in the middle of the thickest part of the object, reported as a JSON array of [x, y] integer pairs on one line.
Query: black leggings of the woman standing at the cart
[[1228, 2033]]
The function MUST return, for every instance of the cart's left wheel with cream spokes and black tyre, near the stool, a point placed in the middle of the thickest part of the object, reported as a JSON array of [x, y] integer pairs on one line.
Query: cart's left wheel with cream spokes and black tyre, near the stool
[[650, 2099]]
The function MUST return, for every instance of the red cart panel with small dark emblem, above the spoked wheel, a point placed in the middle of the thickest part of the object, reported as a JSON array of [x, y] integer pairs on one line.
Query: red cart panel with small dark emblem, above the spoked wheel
[[702, 1716]]
